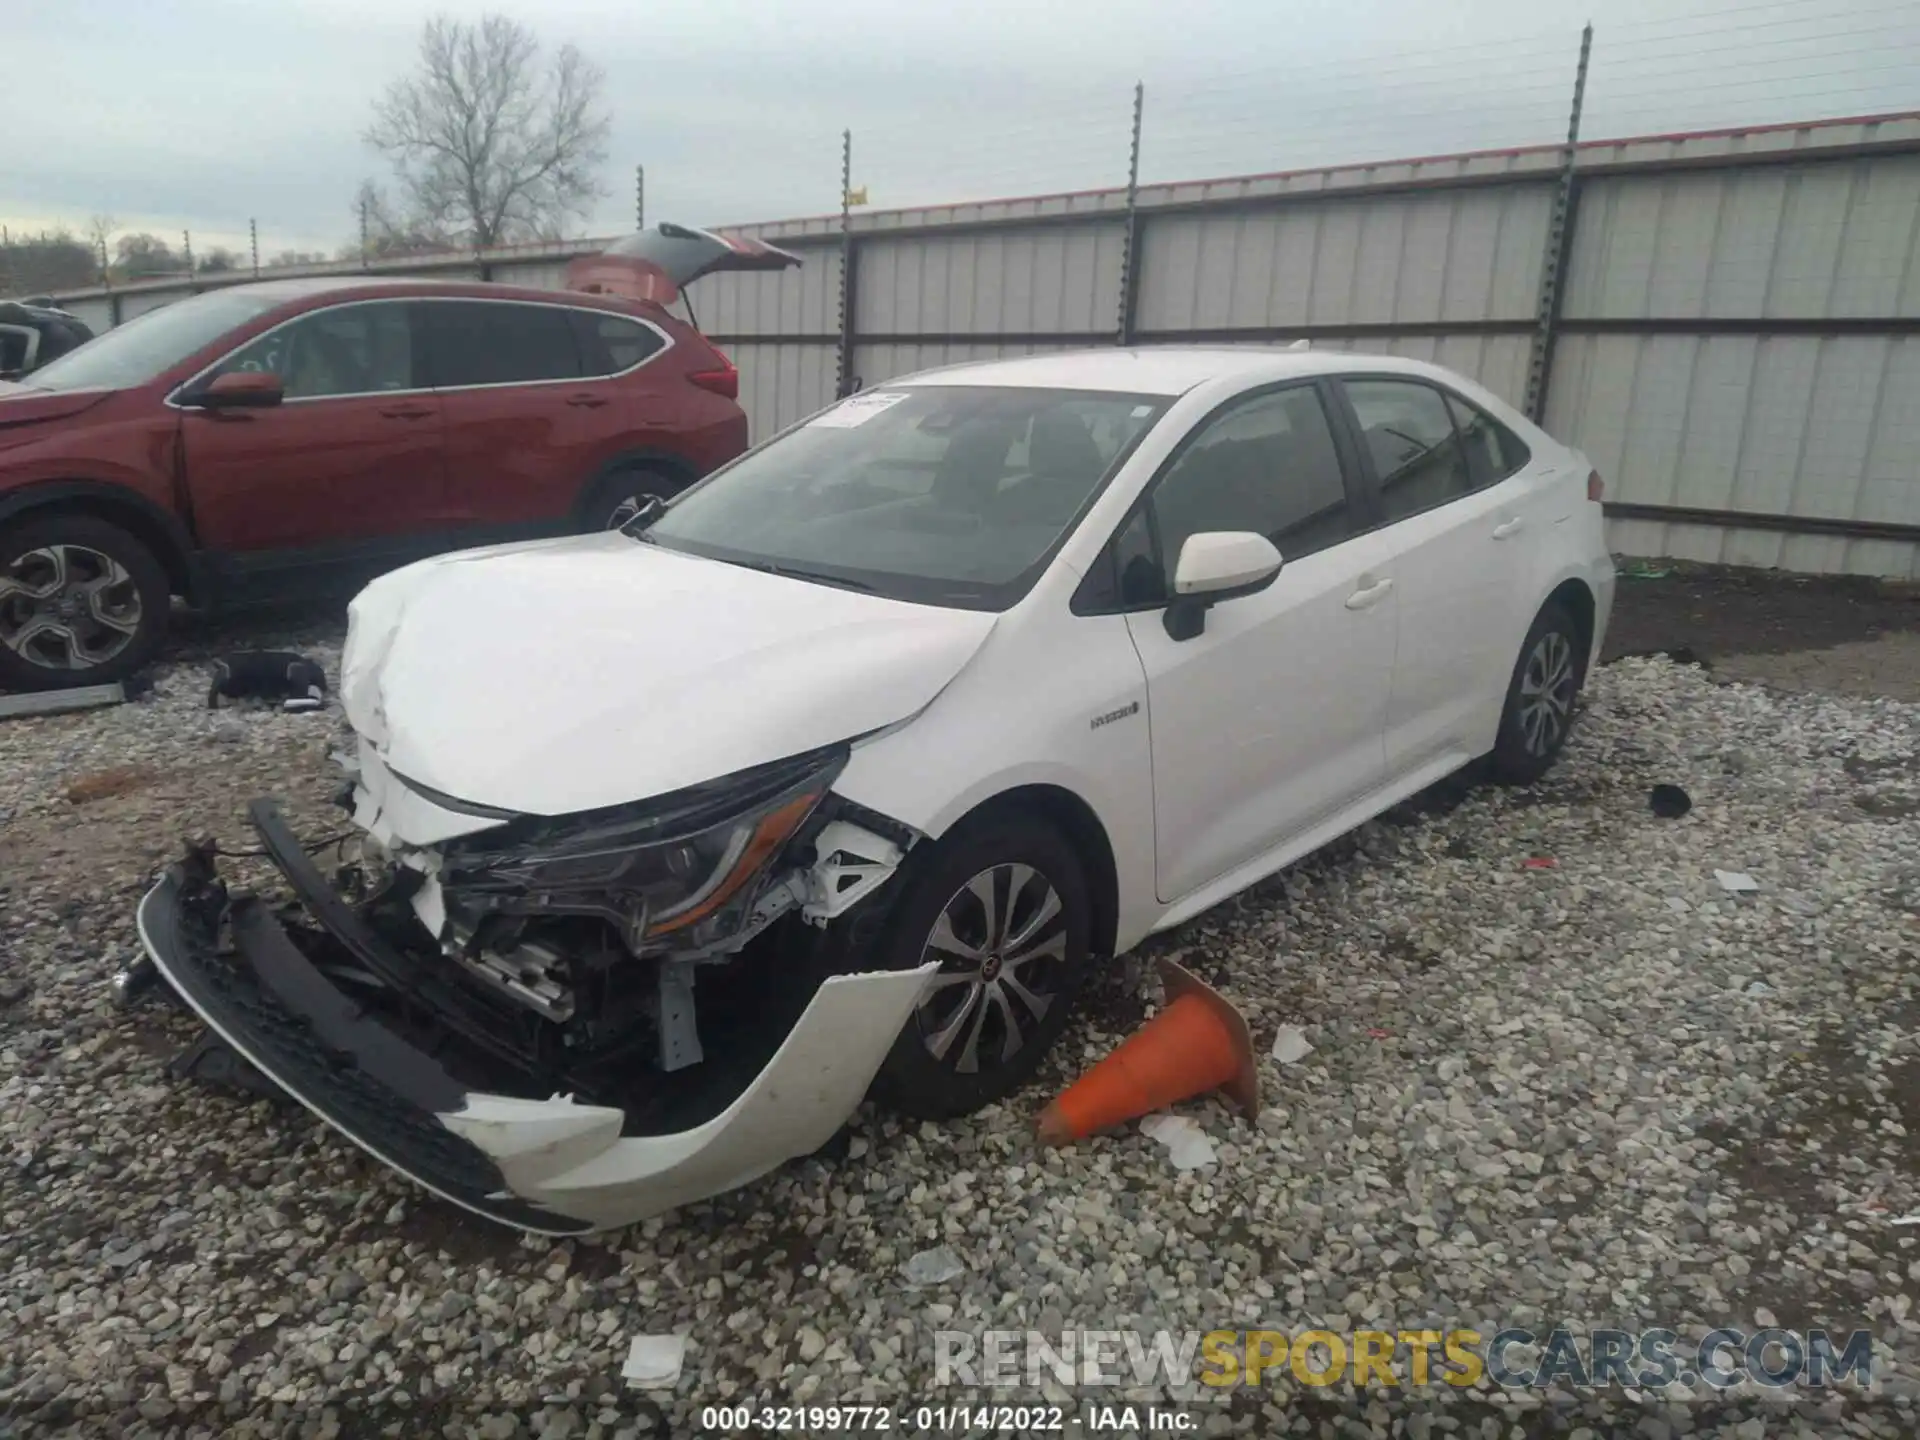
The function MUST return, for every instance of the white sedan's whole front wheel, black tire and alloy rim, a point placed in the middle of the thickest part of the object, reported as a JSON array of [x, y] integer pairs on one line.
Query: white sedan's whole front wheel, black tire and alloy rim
[[1005, 907]]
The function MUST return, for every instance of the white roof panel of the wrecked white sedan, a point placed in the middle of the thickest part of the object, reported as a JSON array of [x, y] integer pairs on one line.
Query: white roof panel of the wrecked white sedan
[[1159, 370]]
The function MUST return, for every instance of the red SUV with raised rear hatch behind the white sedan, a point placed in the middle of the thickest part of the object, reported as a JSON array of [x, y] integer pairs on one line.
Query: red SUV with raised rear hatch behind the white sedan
[[264, 439]]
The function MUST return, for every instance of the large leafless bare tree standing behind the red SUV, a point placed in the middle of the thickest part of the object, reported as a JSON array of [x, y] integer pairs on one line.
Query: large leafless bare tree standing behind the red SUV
[[491, 145]]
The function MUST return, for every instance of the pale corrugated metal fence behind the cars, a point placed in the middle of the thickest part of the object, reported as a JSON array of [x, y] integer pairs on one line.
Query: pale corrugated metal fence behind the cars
[[1735, 337]]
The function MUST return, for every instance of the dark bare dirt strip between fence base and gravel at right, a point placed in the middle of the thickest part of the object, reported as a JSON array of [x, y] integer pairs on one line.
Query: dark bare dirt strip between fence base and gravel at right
[[1836, 635]]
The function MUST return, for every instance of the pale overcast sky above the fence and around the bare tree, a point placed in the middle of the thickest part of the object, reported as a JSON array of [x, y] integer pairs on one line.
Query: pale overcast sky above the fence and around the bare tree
[[203, 114]]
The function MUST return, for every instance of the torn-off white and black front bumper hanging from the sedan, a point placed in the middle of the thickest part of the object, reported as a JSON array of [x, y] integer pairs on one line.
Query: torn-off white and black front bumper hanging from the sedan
[[552, 1166]]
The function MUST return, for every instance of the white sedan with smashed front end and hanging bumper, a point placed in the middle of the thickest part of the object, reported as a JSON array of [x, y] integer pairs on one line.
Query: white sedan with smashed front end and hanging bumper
[[844, 771]]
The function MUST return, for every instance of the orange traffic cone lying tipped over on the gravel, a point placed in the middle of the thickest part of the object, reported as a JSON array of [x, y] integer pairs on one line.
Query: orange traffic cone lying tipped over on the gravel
[[1197, 1044]]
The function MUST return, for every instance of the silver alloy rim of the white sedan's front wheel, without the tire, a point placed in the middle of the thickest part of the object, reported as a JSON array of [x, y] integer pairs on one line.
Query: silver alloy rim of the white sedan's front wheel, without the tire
[[1001, 942]]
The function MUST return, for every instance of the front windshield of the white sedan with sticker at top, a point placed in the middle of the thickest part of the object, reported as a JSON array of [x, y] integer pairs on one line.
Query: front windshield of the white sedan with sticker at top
[[938, 494]]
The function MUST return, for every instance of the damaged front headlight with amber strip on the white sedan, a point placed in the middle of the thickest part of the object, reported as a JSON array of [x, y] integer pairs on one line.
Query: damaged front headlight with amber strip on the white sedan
[[654, 867]]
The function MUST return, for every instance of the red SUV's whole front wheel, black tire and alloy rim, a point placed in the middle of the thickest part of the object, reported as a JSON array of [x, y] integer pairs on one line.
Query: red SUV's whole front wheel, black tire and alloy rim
[[82, 604]]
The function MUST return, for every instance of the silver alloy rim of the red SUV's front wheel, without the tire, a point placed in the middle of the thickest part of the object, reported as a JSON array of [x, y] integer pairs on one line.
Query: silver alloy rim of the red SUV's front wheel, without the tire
[[68, 608]]
